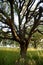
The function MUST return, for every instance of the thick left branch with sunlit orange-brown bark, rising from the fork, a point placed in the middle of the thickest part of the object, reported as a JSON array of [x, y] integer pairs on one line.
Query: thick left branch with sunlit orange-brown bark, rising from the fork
[[12, 27]]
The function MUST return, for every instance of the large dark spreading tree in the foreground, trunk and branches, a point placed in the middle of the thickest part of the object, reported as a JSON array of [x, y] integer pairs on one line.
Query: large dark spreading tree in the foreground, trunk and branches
[[27, 18]]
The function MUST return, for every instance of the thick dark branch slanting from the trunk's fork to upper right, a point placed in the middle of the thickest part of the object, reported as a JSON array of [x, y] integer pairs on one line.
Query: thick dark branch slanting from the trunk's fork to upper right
[[36, 23]]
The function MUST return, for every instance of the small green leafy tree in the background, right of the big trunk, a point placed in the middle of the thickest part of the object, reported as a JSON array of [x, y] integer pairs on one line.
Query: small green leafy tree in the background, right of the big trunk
[[35, 40]]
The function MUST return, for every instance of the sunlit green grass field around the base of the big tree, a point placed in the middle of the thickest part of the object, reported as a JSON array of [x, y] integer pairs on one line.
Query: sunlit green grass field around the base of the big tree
[[9, 56]]
